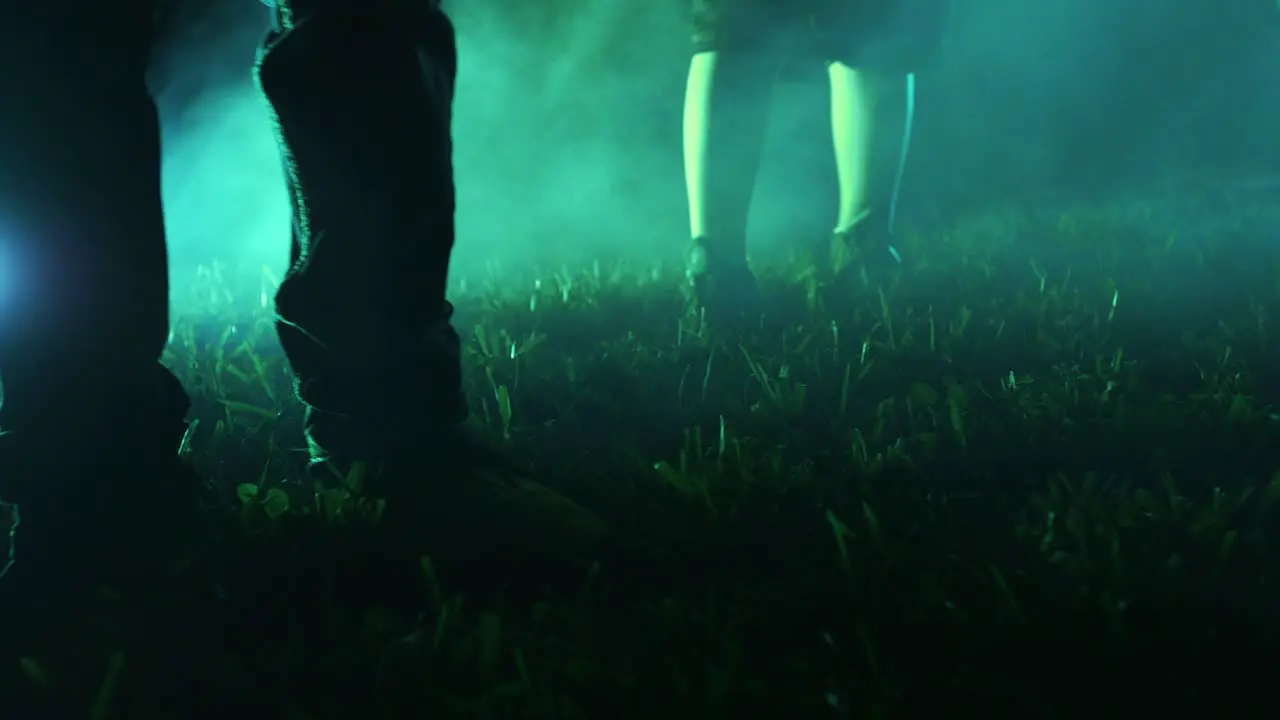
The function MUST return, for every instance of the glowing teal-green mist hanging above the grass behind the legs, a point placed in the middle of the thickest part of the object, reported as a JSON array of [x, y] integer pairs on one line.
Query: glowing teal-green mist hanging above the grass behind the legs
[[568, 125]]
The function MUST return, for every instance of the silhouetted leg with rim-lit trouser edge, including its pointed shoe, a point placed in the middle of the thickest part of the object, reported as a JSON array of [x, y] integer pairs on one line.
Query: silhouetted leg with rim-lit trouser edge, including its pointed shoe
[[363, 97]]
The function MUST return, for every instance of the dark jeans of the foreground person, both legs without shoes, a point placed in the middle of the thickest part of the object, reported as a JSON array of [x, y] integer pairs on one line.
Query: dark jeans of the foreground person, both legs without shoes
[[363, 106]]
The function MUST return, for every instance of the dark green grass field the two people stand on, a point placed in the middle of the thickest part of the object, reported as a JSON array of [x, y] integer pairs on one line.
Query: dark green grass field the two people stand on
[[1034, 472]]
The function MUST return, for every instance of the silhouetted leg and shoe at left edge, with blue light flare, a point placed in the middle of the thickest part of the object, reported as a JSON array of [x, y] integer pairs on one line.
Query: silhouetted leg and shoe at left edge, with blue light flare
[[92, 421]]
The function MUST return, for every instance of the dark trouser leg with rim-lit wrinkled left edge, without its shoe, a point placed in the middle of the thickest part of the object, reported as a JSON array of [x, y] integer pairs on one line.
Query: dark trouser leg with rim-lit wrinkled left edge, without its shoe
[[364, 107]]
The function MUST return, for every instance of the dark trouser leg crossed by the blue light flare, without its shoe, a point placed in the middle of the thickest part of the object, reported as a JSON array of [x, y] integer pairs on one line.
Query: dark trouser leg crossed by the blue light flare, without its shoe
[[84, 312]]
